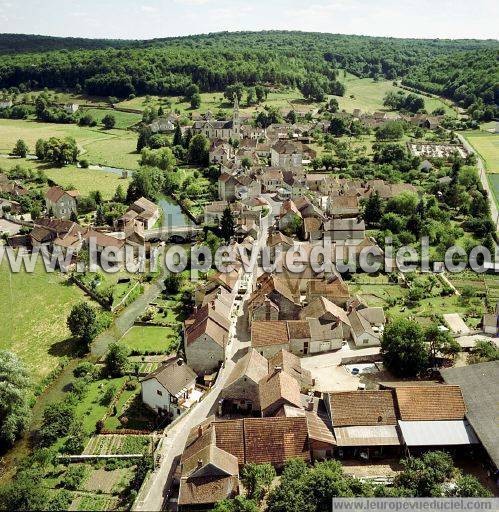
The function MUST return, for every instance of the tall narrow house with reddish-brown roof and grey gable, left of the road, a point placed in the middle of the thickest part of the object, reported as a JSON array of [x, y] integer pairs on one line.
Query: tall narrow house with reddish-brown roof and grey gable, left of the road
[[206, 334]]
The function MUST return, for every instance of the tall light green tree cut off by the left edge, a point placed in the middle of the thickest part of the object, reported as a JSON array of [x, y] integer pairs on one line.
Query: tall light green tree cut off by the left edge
[[14, 398]]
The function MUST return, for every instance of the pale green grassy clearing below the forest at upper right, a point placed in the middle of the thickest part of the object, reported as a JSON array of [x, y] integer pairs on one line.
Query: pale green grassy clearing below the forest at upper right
[[368, 95]]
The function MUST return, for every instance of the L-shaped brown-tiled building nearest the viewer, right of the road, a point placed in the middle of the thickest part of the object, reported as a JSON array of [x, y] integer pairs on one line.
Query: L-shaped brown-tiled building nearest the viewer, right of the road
[[216, 450]]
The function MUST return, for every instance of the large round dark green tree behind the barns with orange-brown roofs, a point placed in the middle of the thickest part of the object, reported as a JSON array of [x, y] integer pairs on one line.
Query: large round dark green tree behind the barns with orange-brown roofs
[[403, 348]]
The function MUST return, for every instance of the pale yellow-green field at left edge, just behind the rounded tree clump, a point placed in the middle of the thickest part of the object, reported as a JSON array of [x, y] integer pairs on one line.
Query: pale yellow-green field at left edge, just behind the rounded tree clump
[[114, 148]]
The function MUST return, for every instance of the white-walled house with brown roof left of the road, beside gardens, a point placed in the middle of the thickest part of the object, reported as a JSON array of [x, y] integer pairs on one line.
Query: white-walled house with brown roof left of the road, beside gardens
[[171, 389]]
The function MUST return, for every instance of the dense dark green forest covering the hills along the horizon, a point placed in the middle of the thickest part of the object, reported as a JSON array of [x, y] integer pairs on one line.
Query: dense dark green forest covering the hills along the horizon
[[464, 70]]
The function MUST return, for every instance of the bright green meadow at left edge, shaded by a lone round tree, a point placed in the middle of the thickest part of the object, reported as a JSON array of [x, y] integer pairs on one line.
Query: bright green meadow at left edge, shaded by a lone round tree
[[33, 312]]
